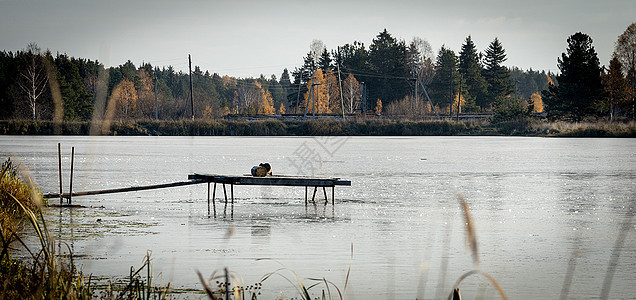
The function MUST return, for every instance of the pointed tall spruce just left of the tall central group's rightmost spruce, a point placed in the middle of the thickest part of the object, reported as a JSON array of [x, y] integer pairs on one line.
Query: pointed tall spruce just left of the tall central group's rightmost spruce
[[470, 68]]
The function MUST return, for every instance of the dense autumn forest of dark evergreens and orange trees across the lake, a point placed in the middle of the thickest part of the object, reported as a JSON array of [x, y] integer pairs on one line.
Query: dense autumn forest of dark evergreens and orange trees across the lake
[[390, 77]]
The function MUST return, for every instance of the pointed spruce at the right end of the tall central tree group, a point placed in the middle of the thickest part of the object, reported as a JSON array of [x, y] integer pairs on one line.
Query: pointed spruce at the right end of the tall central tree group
[[497, 76]]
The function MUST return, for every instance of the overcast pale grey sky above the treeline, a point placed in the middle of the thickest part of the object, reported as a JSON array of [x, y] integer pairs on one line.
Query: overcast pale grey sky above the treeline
[[249, 38]]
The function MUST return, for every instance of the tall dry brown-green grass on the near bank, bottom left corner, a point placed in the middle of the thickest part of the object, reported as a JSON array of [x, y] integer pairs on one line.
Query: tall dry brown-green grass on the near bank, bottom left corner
[[44, 274]]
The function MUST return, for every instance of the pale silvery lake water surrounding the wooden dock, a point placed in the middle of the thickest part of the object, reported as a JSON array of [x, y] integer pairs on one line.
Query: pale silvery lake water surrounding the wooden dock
[[540, 207]]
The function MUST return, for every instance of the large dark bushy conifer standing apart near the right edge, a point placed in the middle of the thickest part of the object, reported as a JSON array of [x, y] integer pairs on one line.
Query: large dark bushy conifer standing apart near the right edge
[[580, 89]]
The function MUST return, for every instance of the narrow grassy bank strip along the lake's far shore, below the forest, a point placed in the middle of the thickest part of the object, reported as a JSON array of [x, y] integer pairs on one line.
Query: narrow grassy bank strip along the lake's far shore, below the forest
[[322, 127]]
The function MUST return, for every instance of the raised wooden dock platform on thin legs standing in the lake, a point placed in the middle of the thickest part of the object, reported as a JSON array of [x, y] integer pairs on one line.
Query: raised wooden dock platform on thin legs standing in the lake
[[272, 180]]
